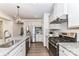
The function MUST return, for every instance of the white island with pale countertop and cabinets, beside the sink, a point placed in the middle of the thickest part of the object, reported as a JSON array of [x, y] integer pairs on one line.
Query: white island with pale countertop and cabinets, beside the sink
[[18, 49]]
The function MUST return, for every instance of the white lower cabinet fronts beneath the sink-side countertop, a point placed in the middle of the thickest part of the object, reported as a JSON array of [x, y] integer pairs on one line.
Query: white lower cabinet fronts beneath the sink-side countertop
[[20, 50]]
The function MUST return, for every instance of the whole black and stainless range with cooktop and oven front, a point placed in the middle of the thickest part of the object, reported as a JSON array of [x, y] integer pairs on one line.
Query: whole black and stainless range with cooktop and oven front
[[54, 46]]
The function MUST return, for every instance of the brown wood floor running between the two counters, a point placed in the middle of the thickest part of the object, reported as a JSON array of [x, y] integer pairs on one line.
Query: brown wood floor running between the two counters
[[37, 49]]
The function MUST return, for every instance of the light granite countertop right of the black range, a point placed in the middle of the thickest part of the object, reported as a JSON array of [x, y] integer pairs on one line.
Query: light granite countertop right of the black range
[[71, 47]]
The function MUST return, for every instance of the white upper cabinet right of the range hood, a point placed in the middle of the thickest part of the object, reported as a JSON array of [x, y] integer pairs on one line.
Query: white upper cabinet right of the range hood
[[73, 15]]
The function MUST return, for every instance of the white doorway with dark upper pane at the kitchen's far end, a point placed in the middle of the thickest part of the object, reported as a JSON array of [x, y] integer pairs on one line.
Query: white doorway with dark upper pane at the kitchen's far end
[[37, 34]]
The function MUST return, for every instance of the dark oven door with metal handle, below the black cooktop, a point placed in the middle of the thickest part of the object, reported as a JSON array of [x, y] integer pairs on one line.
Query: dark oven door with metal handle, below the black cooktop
[[53, 49]]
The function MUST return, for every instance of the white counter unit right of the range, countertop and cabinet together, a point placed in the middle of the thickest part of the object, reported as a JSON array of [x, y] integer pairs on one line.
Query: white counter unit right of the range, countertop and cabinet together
[[69, 49]]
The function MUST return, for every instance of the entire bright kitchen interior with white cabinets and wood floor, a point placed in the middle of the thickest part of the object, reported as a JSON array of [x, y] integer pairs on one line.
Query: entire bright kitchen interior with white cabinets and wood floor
[[49, 29]]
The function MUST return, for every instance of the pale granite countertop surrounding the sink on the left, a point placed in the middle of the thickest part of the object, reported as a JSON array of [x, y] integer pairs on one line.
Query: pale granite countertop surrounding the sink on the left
[[5, 51]]
